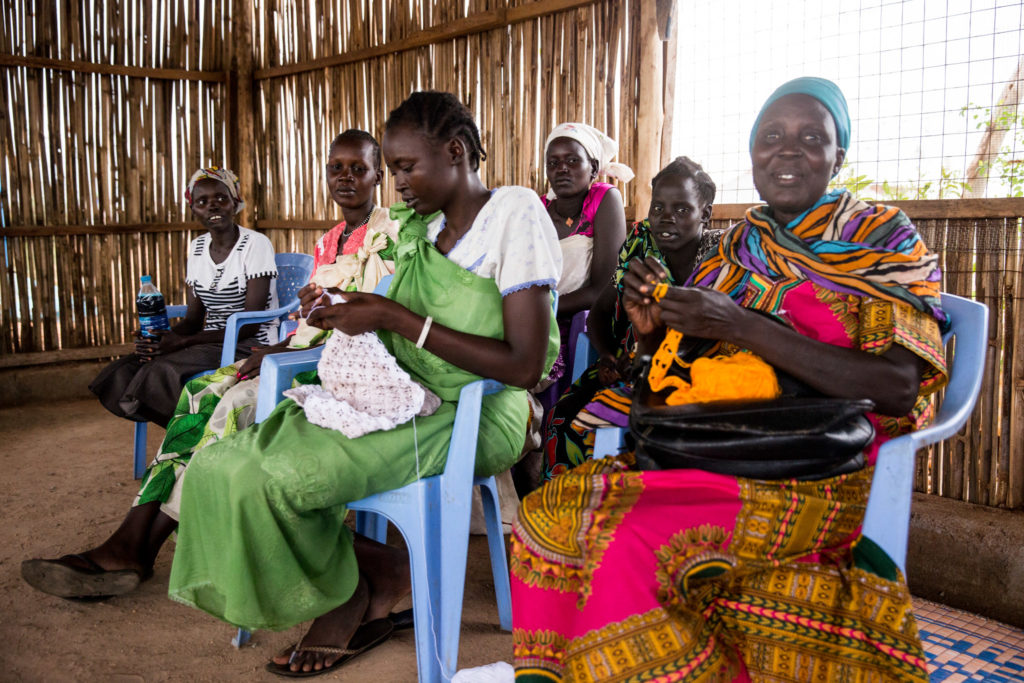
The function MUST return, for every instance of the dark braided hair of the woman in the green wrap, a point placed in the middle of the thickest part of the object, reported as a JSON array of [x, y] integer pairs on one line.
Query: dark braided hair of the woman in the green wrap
[[442, 117]]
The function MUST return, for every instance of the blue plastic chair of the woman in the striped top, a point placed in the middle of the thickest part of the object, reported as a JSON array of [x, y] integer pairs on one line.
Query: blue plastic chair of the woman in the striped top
[[294, 272]]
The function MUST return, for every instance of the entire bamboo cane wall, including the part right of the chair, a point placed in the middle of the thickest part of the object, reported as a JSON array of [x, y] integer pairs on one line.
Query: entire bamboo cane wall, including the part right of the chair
[[94, 158]]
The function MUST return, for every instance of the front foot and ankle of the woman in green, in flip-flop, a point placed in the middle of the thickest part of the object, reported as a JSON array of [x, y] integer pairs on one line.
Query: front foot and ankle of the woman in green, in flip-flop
[[333, 630]]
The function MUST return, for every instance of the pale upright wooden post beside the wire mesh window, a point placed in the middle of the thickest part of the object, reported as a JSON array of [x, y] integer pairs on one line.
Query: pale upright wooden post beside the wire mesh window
[[651, 109]]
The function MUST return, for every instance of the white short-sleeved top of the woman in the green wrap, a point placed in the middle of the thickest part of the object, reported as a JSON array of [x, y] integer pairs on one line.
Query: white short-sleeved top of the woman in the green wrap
[[511, 242]]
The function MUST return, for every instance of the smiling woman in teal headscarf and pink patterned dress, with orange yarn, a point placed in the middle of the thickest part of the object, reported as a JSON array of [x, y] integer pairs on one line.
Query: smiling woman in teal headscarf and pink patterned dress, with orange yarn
[[687, 575]]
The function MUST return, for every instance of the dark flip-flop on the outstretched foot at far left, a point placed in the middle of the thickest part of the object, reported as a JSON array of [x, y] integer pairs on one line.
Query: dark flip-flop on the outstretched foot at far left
[[64, 580]]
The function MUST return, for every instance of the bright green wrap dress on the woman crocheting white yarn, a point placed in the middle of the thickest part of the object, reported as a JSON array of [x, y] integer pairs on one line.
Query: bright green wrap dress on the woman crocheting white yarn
[[263, 542]]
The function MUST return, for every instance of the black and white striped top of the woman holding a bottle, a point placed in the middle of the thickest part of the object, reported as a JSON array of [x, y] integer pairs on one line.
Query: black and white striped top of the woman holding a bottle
[[222, 287]]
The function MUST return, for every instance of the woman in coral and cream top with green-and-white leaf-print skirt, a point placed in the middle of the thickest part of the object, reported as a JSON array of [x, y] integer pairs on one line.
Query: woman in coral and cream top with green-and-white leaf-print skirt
[[354, 255]]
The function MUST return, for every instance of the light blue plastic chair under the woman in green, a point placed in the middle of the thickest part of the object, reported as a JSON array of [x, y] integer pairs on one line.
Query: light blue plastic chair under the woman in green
[[433, 516]]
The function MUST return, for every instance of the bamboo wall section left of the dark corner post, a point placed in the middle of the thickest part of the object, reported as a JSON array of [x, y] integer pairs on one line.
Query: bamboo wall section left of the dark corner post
[[95, 160]]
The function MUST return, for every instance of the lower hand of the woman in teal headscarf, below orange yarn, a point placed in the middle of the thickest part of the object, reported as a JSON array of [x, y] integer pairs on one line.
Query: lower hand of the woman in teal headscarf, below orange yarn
[[704, 313]]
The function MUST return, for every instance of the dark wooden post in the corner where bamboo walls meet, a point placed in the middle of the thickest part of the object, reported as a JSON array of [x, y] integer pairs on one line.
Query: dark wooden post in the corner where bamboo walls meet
[[241, 110]]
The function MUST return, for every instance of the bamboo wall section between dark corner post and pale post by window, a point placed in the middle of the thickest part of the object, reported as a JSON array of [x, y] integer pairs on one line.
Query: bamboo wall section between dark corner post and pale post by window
[[520, 79]]
